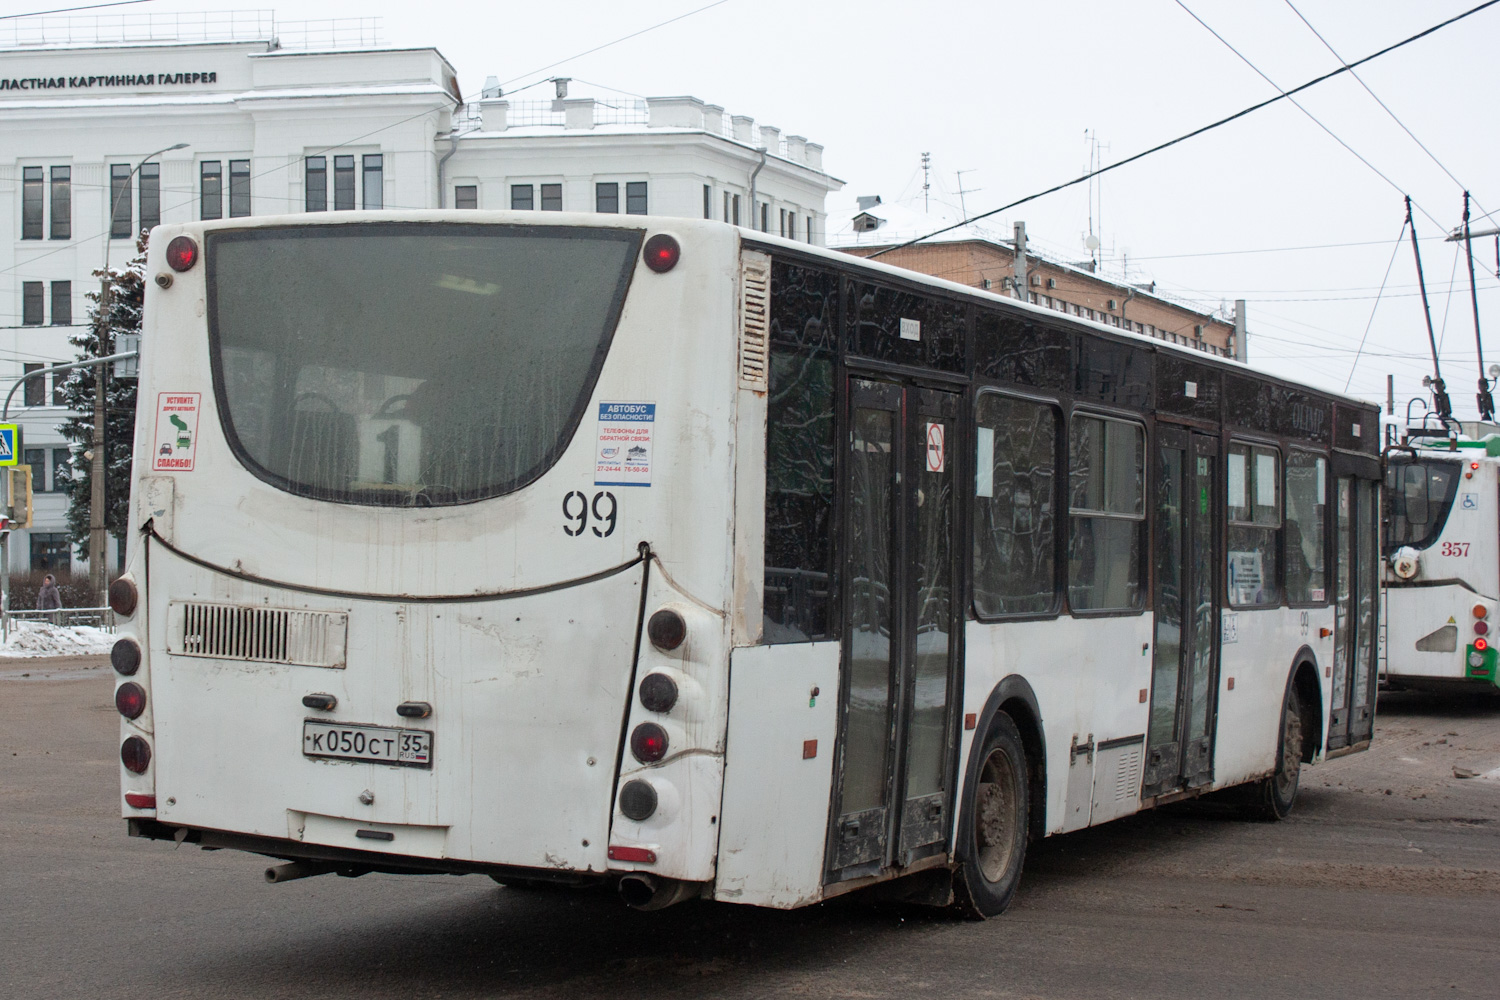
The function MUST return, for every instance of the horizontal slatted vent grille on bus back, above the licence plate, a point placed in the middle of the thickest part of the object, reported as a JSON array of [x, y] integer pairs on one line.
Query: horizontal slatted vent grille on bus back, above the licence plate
[[257, 635]]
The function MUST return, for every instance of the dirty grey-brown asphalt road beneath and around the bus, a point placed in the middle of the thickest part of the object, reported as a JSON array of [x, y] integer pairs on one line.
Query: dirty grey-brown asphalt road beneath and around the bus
[[1385, 884]]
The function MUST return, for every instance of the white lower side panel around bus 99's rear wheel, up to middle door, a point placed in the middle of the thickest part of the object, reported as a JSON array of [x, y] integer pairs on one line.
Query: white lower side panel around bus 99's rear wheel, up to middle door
[[1088, 675]]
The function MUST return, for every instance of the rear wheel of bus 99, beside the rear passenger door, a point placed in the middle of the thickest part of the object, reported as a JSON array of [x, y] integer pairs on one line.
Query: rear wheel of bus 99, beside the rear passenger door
[[997, 818]]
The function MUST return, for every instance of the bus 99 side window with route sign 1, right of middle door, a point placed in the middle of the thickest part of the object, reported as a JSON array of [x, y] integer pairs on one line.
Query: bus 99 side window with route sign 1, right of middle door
[[1255, 525]]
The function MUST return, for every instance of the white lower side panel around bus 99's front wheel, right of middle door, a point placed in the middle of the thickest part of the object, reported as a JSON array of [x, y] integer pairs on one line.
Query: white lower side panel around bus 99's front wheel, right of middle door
[[1256, 657]]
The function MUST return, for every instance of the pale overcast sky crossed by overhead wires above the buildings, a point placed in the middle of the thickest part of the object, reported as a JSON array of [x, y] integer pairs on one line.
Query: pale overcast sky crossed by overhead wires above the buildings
[[1009, 91]]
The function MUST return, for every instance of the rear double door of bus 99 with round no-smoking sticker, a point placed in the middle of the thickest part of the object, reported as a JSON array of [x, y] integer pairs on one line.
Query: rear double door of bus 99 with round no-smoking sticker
[[893, 765]]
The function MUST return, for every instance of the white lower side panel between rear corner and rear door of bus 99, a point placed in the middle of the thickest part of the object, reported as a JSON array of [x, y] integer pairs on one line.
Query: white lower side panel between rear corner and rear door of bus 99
[[778, 774]]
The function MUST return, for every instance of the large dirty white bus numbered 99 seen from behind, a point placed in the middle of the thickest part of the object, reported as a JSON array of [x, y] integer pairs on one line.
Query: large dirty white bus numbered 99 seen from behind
[[670, 555]]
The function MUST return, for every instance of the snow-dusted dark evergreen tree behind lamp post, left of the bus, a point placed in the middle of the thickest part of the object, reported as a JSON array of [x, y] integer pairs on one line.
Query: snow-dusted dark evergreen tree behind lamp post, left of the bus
[[127, 298]]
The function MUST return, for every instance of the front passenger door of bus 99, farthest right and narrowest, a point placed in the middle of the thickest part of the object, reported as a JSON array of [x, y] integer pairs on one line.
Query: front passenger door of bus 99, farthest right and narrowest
[[1352, 699]]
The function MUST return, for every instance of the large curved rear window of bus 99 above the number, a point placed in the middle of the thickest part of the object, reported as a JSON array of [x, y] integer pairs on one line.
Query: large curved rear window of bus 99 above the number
[[410, 364]]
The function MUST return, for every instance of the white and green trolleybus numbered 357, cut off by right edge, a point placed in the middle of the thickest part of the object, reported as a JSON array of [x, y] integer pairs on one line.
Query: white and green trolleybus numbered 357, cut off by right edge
[[1442, 545]]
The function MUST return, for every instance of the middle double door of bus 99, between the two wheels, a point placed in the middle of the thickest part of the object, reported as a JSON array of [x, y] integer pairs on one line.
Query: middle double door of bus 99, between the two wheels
[[1180, 741]]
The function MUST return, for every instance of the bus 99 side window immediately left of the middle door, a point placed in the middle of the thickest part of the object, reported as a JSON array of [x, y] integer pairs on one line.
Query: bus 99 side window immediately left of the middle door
[[1108, 513]]
